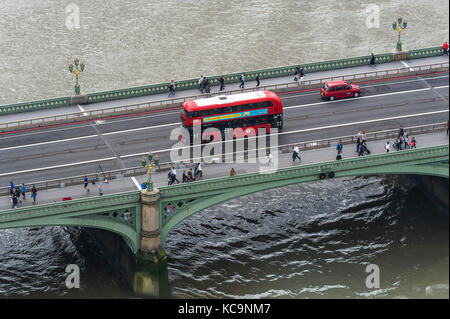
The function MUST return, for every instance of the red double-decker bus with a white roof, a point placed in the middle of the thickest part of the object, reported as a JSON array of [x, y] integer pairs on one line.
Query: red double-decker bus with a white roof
[[245, 113]]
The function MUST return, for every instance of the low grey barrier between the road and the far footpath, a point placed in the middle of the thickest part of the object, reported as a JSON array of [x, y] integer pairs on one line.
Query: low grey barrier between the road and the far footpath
[[104, 113]]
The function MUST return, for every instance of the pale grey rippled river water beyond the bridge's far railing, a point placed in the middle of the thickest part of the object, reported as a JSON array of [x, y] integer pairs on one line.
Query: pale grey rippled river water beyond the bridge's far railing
[[138, 42]]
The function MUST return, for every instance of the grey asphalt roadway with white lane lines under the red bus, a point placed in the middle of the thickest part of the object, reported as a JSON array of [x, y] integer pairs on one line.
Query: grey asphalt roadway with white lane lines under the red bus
[[78, 149]]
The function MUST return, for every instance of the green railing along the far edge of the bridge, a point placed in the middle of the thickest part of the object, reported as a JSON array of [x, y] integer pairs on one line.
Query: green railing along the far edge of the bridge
[[230, 78]]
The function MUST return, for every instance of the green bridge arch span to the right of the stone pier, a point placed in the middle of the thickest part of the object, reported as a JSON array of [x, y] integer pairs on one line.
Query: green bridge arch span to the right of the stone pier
[[189, 199]]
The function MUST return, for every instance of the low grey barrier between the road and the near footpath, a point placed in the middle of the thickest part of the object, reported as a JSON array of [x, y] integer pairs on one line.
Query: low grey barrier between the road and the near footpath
[[283, 149]]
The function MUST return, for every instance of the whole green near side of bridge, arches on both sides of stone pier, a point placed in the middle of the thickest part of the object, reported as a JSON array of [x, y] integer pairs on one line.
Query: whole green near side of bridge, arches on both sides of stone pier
[[107, 212]]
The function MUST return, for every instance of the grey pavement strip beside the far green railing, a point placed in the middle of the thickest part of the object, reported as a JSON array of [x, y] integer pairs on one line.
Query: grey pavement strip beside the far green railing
[[230, 86]]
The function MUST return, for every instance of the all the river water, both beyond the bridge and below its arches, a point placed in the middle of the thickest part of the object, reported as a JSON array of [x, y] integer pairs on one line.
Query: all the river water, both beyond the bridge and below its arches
[[310, 240]]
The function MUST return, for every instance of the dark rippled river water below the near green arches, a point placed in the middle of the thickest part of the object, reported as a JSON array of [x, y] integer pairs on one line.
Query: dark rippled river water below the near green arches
[[304, 241]]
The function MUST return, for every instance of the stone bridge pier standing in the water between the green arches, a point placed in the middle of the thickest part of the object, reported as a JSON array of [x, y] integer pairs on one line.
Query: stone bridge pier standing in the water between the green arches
[[151, 275]]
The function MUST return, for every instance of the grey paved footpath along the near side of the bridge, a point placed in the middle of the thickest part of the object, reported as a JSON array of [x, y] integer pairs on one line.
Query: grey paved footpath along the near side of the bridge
[[215, 170]]
